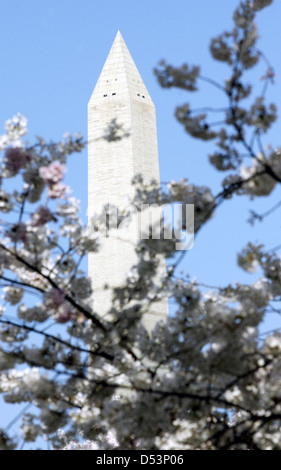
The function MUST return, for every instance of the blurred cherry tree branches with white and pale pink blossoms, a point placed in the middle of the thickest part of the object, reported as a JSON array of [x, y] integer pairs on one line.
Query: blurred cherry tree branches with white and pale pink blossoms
[[202, 379]]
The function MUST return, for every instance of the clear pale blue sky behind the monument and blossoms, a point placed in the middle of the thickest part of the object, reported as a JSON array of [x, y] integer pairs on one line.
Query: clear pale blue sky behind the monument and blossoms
[[52, 53]]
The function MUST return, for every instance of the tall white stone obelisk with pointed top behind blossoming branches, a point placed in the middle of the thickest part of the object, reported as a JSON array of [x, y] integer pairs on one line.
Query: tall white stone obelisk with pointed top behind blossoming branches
[[119, 98]]
